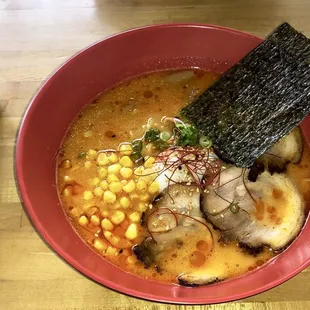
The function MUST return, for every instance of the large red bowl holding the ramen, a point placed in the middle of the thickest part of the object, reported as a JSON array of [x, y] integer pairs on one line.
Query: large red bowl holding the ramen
[[64, 94]]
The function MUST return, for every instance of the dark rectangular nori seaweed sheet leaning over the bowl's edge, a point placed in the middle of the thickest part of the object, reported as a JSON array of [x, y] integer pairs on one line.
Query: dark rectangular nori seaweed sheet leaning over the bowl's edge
[[258, 100]]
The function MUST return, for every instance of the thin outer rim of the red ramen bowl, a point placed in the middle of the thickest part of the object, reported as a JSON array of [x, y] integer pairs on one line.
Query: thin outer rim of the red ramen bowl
[[44, 235]]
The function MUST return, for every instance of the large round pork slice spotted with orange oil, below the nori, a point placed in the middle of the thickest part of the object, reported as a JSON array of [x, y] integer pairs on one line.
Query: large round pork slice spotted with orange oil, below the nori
[[266, 212]]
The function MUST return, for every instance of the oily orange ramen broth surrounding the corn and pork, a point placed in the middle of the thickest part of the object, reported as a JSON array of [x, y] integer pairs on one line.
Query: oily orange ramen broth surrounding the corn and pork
[[120, 115]]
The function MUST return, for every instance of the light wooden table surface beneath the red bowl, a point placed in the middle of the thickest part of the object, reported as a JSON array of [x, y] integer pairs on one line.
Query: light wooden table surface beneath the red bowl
[[36, 36]]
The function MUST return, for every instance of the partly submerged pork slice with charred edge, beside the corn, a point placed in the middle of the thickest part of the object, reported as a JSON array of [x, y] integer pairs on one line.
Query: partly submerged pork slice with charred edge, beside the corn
[[167, 227]]
